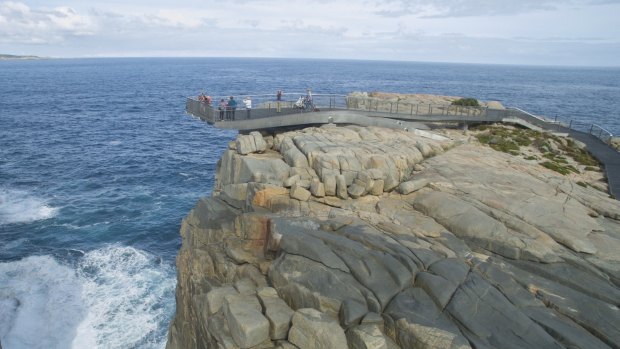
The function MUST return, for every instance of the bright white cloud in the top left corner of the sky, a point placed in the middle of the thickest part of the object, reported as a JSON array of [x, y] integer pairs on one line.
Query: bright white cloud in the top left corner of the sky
[[21, 24]]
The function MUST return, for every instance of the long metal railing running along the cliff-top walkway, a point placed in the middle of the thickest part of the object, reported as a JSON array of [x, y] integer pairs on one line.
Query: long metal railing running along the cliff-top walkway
[[267, 105]]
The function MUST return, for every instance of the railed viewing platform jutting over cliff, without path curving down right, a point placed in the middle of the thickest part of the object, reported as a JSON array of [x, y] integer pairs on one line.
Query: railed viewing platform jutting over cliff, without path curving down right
[[268, 113]]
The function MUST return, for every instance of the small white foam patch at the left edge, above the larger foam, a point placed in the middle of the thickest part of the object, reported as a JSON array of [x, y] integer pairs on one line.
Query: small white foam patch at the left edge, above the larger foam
[[17, 206]]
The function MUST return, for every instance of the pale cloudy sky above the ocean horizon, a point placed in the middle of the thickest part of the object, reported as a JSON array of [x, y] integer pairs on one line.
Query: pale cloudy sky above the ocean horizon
[[529, 32]]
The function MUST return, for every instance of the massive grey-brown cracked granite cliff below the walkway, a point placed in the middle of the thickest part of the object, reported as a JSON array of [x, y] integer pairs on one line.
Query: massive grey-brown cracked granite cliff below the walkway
[[339, 237]]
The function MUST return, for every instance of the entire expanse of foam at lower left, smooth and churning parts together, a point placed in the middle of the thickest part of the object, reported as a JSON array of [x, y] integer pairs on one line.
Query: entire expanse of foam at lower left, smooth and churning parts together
[[116, 297]]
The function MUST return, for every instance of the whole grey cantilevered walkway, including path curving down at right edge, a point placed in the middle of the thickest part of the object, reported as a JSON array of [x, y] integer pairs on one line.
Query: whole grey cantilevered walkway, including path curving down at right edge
[[268, 113]]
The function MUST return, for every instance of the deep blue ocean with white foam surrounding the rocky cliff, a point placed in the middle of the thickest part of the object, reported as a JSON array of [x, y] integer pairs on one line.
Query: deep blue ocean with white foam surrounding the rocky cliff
[[99, 164]]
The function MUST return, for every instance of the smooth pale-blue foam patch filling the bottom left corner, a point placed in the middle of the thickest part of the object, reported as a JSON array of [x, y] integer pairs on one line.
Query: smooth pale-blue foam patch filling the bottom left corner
[[40, 302]]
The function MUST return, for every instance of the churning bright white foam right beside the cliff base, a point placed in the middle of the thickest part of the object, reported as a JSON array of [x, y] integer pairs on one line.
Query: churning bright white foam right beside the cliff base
[[130, 295]]
